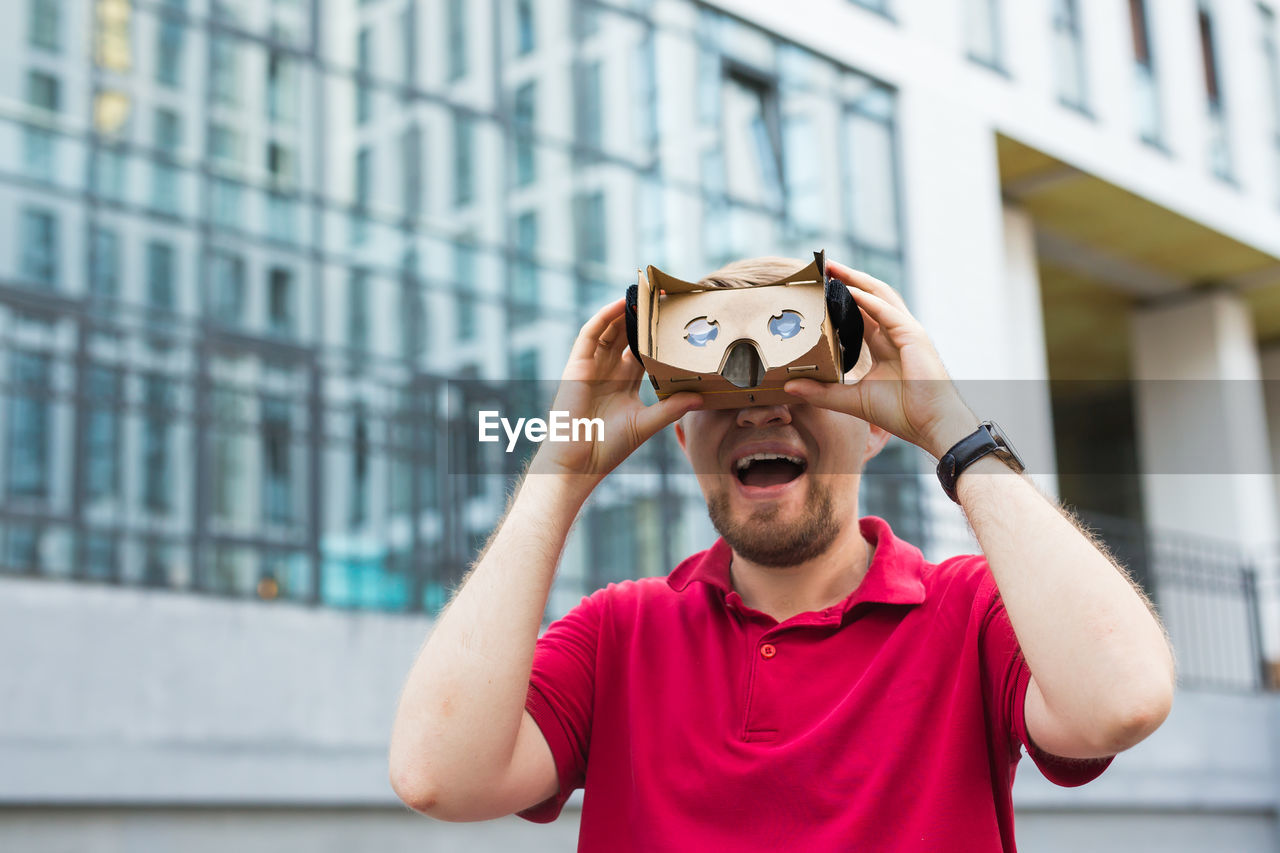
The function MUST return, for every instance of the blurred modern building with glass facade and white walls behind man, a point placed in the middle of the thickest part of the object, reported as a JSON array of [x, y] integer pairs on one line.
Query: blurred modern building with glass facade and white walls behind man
[[260, 262]]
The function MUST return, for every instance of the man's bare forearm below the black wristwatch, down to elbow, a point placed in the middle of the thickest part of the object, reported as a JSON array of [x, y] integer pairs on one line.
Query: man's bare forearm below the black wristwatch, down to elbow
[[1098, 653]]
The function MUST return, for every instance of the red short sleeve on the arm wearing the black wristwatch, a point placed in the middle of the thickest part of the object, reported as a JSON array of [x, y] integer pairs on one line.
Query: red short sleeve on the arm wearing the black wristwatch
[[1008, 678]]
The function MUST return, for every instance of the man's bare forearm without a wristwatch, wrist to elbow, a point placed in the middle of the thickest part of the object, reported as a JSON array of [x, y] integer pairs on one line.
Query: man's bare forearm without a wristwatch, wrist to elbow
[[465, 696]]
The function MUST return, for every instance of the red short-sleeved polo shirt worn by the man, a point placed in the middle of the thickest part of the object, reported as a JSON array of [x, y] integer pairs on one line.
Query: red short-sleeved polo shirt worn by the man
[[892, 722]]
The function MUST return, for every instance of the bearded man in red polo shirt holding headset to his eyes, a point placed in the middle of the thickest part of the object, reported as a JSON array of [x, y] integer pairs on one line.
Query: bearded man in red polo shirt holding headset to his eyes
[[810, 682]]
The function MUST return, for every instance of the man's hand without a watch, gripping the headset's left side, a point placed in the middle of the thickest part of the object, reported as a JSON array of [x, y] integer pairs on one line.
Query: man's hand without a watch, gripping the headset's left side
[[602, 380]]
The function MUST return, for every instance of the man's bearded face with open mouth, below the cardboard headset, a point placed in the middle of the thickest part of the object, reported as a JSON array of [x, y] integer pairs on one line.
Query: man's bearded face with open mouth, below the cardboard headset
[[781, 482]]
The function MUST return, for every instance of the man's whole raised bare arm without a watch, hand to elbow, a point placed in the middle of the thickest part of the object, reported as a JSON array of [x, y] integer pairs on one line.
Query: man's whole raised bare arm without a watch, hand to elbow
[[463, 745]]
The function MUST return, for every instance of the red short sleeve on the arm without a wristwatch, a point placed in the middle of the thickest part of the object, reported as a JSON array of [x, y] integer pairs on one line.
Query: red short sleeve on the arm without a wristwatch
[[561, 699]]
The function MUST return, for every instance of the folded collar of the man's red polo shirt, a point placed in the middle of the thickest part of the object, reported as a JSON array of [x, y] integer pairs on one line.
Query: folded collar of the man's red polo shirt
[[897, 574]]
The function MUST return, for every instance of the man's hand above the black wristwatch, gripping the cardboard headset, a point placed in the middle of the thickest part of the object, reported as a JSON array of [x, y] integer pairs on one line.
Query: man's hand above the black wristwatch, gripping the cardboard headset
[[908, 391]]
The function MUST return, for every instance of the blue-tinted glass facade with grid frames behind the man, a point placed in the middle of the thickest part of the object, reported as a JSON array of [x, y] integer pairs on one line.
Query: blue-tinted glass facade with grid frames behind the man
[[264, 258]]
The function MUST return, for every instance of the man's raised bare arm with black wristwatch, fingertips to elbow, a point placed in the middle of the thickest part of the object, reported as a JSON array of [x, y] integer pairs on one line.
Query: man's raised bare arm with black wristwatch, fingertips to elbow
[[1103, 670]]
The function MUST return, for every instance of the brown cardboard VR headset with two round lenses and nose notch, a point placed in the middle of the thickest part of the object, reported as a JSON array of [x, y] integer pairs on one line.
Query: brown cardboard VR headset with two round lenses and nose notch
[[738, 346]]
